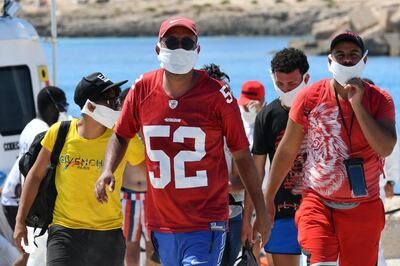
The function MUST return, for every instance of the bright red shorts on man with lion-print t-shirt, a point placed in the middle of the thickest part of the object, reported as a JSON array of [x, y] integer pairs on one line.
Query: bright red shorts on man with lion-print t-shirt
[[352, 235]]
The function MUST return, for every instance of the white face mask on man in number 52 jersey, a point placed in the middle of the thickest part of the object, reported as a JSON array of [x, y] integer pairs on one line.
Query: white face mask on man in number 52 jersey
[[178, 61]]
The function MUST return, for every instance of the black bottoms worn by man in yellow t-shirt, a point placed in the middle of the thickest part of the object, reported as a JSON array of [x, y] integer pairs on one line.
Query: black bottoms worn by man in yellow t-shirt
[[81, 247]]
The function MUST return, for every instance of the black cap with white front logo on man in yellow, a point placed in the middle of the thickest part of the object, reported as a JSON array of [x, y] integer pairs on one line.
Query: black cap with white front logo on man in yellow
[[92, 86]]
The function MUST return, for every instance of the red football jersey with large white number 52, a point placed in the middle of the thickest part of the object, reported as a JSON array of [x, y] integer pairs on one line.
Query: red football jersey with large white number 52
[[184, 140]]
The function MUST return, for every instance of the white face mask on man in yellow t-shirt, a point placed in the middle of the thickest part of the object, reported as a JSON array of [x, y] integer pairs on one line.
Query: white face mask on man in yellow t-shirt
[[102, 114]]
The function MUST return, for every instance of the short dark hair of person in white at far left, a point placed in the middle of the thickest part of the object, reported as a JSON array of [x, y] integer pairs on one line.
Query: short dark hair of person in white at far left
[[44, 98]]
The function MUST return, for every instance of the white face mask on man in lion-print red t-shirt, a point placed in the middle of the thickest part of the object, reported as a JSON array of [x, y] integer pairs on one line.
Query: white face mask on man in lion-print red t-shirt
[[342, 74]]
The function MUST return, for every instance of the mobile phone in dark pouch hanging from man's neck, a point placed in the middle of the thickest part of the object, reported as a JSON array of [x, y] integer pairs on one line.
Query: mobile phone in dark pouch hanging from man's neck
[[355, 173]]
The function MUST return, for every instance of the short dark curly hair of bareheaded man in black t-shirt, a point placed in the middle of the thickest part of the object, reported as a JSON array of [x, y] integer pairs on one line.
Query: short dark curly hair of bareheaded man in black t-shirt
[[288, 60]]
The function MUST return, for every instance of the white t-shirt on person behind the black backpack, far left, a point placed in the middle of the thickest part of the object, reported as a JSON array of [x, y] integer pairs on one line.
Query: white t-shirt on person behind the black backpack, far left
[[13, 183]]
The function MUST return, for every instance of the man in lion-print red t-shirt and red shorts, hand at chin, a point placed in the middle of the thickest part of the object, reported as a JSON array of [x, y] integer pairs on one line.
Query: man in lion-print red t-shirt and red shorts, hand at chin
[[350, 127]]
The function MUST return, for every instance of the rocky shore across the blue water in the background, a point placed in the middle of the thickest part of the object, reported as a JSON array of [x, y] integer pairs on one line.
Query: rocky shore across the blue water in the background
[[377, 21]]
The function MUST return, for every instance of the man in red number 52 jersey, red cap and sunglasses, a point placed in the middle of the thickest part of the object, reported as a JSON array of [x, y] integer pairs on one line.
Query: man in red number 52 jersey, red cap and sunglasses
[[184, 115]]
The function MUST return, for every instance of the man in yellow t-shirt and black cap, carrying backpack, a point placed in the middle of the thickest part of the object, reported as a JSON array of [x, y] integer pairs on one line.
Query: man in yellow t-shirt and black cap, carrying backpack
[[83, 232]]
